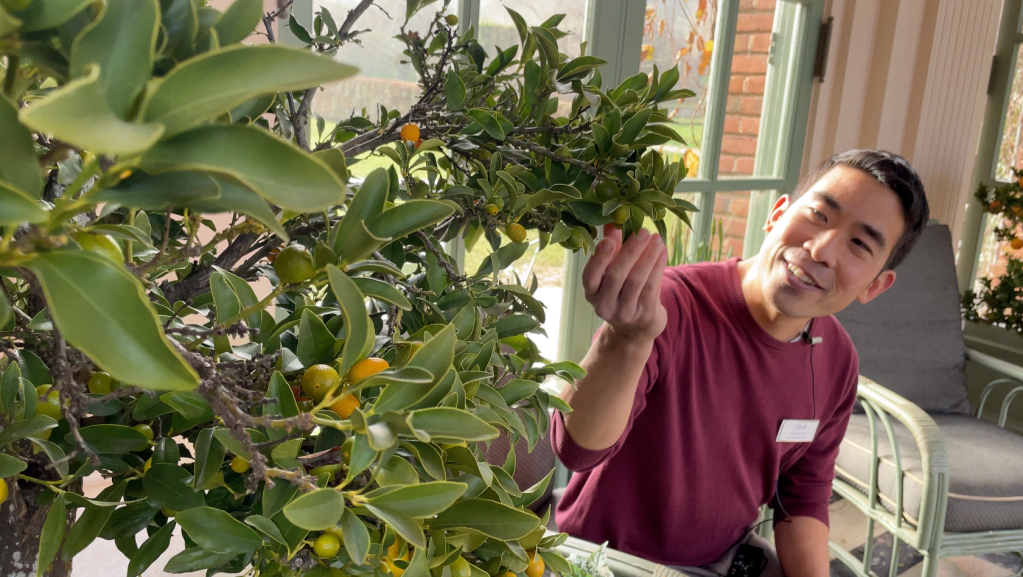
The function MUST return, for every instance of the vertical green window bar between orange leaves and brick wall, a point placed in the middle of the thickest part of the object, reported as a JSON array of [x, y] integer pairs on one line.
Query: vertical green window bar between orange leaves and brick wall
[[721, 71]]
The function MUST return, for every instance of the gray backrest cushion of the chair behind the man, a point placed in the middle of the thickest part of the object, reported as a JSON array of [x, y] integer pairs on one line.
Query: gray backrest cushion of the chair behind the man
[[910, 339]]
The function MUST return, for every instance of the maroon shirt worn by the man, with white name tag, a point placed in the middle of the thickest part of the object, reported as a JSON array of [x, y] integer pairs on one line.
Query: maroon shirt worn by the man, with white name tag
[[699, 456]]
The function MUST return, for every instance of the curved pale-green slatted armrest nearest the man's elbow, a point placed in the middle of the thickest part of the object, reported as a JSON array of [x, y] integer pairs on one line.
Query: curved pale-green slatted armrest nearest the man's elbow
[[882, 404]]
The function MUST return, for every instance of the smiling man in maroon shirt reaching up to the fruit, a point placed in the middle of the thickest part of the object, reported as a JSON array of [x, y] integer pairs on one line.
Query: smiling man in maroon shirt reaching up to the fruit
[[717, 388]]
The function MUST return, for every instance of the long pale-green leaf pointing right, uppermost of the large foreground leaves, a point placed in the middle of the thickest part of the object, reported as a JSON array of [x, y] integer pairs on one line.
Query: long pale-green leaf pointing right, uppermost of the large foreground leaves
[[207, 86]]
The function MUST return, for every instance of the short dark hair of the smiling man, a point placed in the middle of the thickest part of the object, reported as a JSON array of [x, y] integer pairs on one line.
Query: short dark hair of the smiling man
[[893, 172]]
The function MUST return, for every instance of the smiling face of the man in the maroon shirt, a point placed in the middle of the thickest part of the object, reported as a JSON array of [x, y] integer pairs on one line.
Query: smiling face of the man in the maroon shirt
[[828, 248]]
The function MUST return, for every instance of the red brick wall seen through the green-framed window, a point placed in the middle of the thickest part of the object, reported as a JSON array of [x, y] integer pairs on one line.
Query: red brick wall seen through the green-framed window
[[742, 122]]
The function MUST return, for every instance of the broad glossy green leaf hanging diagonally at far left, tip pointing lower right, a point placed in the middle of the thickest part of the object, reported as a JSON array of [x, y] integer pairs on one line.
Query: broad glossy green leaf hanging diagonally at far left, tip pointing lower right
[[90, 295]]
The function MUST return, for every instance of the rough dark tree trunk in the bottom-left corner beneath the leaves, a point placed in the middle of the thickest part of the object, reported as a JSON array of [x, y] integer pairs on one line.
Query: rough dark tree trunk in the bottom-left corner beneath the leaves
[[21, 524]]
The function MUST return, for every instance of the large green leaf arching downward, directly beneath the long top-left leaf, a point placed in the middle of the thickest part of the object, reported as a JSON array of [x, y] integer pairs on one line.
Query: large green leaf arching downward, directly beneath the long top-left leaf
[[276, 169]]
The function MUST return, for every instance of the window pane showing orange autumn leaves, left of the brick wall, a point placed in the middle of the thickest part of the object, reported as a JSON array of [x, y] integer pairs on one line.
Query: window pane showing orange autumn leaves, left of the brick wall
[[682, 33]]
